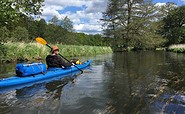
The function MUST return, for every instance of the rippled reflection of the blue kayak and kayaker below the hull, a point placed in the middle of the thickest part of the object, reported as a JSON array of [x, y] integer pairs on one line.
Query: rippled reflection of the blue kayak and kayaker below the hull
[[44, 96]]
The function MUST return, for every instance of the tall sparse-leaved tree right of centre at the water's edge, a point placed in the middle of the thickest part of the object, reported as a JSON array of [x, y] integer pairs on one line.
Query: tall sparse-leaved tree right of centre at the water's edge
[[132, 23]]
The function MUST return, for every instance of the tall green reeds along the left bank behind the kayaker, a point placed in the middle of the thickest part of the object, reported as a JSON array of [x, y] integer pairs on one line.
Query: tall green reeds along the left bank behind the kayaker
[[12, 52]]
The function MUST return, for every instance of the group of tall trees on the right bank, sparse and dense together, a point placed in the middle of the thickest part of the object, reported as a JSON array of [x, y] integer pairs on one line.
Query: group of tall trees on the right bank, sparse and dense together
[[142, 24]]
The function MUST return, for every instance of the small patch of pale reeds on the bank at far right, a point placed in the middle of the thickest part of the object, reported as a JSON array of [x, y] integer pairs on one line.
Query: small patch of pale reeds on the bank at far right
[[179, 48]]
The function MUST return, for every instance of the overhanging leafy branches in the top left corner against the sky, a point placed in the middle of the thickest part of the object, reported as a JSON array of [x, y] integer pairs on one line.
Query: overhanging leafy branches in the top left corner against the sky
[[11, 10]]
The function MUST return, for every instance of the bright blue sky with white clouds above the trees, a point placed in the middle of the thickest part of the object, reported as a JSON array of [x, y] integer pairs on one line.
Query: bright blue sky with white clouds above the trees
[[85, 14]]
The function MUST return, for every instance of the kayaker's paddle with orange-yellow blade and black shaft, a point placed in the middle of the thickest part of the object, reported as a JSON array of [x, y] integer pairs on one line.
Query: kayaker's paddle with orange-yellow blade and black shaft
[[42, 41]]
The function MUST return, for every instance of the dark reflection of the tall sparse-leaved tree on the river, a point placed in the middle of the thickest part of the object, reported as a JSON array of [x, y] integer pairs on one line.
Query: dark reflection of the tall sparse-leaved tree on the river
[[130, 77]]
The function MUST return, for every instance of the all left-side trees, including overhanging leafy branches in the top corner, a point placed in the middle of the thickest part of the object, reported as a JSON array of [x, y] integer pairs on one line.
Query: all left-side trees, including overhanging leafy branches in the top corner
[[18, 25]]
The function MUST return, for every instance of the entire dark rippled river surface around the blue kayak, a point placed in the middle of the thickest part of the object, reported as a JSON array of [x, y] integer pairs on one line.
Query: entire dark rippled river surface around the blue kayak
[[145, 82]]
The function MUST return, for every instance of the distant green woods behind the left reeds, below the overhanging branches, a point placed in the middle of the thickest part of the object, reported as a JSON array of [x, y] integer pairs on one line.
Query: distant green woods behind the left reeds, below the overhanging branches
[[27, 29]]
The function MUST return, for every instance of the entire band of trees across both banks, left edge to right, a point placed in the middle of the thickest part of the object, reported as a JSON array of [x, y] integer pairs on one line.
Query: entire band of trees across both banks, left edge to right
[[140, 24]]
